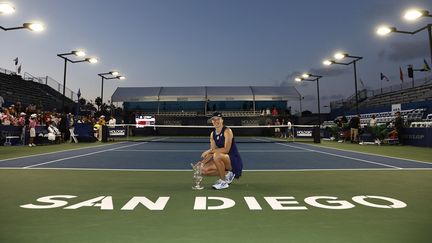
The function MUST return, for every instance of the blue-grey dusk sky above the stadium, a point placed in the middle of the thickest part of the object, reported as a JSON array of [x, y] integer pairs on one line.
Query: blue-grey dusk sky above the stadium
[[216, 42]]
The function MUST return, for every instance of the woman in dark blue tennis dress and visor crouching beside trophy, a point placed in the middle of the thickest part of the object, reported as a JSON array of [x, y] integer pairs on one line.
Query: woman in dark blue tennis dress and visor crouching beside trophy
[[223, 158]]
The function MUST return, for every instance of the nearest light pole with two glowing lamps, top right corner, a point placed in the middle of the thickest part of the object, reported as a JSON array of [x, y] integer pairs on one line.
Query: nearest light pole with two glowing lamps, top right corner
[[410, 15]]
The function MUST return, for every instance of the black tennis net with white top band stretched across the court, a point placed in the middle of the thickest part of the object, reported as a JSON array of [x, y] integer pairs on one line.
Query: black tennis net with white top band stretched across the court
[[201, 134]]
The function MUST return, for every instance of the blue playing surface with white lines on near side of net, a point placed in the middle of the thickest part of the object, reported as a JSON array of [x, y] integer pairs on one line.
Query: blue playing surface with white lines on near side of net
[[178, 156]]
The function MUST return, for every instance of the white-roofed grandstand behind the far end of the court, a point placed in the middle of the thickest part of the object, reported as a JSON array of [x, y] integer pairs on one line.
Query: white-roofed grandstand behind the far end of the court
[[170, 104]]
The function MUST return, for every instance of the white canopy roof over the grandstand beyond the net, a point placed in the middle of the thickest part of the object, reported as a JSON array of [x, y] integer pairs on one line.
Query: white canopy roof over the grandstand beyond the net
[[203, 93]]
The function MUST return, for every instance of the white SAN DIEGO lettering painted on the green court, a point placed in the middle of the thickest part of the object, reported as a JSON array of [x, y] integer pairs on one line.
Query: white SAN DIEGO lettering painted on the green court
[[287, 203]]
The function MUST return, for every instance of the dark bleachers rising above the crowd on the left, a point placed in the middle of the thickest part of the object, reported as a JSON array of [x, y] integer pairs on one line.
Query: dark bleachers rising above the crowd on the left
[[14, 88]]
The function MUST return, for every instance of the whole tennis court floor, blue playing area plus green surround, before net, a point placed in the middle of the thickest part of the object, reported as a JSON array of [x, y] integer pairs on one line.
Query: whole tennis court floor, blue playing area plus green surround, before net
[[290, 172]]
